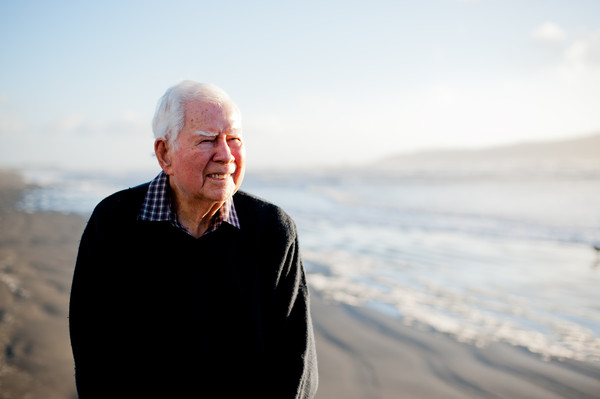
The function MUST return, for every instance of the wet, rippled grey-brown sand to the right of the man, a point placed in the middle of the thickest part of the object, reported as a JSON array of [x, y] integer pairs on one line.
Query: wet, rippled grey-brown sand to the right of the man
[[366, 354]]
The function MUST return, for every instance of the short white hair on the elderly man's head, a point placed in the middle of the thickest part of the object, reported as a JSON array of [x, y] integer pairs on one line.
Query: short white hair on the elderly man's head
[[169, 116]]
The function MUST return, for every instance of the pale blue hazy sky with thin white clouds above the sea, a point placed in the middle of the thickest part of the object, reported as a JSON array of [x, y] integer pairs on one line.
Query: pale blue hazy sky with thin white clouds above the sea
[[318, 82]]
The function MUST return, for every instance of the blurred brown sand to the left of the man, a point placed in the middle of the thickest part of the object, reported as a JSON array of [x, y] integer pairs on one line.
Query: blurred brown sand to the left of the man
[[37, 252]]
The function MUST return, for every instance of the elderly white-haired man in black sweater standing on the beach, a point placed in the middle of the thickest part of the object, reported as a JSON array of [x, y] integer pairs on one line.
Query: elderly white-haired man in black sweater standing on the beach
[[185, 286]]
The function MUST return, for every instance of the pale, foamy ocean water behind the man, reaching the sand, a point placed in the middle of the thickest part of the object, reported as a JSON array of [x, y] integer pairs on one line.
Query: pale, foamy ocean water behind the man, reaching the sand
[[493, 257]]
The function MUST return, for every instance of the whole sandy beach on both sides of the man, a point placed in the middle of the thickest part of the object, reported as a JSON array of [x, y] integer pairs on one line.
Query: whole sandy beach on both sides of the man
[[362, 353]]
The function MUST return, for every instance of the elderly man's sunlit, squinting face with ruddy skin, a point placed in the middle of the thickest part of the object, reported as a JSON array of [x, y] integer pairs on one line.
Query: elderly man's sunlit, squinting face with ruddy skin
[[207, 163]]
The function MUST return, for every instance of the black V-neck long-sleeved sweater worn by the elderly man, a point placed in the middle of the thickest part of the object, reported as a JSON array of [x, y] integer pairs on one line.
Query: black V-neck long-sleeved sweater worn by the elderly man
[[155, 312]]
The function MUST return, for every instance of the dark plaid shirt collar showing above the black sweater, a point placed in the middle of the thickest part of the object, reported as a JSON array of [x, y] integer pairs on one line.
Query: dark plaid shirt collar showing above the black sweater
[[157, 207]]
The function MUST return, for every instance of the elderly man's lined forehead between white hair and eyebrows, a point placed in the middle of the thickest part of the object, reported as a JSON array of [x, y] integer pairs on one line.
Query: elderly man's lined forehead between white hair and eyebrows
[[211, 116]]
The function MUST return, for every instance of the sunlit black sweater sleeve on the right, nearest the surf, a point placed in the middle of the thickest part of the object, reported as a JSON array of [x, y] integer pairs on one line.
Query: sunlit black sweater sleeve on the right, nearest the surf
[[295, 361]]
